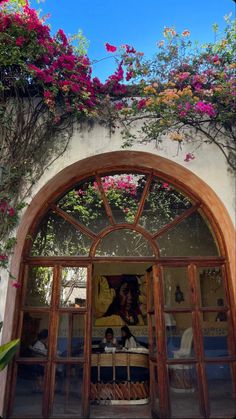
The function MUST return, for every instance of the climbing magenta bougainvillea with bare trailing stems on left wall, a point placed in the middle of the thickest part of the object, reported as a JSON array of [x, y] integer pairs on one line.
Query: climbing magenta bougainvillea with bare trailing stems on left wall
[[45, 88]]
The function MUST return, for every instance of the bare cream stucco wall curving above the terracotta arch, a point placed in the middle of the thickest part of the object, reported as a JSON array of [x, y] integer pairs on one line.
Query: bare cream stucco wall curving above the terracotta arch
[[209, 164]]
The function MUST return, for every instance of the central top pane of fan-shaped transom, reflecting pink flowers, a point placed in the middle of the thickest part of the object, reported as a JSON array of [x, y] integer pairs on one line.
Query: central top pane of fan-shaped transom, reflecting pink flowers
[[123, 192]]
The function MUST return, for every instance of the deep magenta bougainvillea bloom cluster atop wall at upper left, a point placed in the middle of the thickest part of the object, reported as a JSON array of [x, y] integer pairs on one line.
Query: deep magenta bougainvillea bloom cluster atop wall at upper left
[[50, 63]]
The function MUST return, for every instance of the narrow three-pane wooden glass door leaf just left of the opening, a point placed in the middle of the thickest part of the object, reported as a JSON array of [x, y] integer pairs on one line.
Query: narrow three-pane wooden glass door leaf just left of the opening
[[73, 340]]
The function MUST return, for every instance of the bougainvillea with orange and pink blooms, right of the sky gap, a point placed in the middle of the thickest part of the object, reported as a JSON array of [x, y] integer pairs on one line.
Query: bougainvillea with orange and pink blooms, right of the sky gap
[[184, 89]]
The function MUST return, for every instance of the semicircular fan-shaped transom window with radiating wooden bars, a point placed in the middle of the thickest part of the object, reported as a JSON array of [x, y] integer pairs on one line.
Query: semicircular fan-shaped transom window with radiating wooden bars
[[124, 214]]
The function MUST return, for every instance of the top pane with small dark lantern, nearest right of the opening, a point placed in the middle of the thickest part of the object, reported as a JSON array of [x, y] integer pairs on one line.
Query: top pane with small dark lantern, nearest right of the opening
[[176, 279]]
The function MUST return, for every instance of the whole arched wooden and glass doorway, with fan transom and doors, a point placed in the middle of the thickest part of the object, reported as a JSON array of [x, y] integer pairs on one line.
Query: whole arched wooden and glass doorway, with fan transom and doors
[[128, 218]]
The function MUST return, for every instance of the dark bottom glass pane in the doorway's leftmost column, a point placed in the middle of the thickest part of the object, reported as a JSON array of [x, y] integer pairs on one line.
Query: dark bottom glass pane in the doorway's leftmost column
[[29, 390]]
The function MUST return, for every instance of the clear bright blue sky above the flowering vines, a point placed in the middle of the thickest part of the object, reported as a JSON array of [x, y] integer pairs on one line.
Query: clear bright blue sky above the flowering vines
[[135, 22]]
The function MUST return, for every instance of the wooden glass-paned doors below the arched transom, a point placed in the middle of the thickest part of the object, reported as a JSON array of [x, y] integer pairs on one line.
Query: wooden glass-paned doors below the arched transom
[[186, 378]]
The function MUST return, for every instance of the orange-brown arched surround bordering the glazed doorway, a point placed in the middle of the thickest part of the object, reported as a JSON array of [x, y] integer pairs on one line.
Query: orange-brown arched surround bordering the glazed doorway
[[146, 162]]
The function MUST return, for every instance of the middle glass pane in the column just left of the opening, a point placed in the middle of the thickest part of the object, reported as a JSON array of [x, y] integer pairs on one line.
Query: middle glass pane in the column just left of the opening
[[70, 337]]
